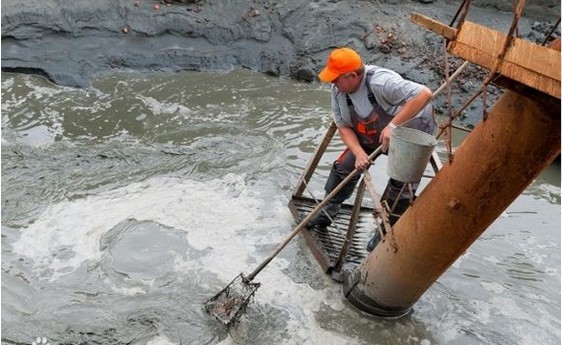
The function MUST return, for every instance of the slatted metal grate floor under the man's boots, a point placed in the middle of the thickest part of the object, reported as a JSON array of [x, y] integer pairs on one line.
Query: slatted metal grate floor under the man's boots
[[326, 247]]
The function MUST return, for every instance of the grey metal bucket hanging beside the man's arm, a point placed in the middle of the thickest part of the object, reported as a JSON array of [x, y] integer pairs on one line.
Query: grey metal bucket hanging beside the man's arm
[[408, 154]]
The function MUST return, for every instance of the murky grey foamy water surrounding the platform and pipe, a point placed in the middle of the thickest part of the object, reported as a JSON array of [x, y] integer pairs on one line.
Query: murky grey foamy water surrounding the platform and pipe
[[127, 205]]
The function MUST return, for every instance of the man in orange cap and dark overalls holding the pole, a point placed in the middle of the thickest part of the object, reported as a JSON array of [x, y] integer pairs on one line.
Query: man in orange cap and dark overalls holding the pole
[[368, 102]]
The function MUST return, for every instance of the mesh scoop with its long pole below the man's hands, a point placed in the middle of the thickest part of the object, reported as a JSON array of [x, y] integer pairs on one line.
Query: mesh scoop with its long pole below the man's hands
[[229, 304]]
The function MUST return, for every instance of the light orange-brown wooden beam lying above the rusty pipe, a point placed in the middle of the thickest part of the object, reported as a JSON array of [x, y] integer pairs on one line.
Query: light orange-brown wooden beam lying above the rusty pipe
[[535, 66]]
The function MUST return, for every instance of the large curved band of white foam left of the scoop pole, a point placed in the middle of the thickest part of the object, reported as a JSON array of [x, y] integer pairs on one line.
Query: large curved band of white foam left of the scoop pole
[[210, 214]]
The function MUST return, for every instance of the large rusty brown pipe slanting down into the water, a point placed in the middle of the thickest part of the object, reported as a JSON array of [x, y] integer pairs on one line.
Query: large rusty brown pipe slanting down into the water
[[494, 164]]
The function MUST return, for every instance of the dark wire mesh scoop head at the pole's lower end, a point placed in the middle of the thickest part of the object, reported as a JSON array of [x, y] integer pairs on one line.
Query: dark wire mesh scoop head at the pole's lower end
[[229, 304]]
